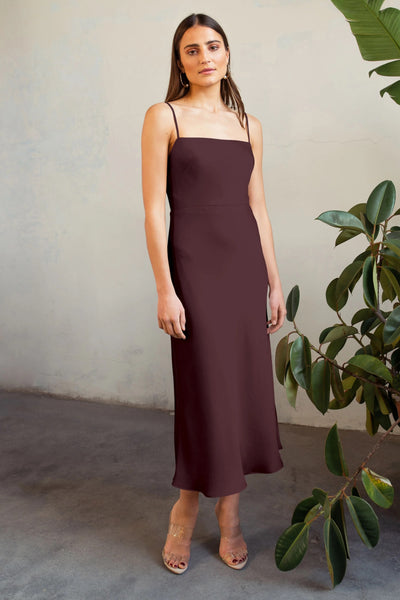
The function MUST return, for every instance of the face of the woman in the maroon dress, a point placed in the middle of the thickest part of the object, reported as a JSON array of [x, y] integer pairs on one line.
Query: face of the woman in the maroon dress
[[203, 48]]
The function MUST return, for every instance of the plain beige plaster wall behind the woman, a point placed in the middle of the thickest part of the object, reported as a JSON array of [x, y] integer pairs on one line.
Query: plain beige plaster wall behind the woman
[[78, 302]]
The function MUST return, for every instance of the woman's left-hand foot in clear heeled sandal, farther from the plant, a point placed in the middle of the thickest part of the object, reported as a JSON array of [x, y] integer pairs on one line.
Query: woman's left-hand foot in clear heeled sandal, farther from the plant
[[176, 551]]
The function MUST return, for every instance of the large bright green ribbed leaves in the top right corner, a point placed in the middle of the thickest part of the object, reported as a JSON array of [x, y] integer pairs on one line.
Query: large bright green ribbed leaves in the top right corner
[[378, 36]]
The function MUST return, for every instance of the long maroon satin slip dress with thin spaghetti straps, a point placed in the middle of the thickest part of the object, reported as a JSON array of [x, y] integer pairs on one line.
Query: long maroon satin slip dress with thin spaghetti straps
[[225, 422]]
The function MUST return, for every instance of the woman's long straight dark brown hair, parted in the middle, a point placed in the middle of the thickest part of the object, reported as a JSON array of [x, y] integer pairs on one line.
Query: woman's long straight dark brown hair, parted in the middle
[[229, 90]]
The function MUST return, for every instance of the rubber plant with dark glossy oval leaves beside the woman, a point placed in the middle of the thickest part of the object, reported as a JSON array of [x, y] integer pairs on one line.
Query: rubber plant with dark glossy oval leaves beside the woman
[[370, 377]]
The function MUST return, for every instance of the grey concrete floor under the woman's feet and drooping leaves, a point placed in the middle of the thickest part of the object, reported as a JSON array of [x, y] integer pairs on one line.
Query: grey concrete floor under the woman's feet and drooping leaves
[[85, 496]]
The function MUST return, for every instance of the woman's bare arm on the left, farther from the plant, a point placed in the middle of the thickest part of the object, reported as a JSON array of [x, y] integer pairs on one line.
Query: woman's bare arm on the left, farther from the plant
[[155, 141]]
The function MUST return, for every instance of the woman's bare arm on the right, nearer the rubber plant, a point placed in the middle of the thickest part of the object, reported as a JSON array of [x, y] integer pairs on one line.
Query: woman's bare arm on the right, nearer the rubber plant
[[258, 206]]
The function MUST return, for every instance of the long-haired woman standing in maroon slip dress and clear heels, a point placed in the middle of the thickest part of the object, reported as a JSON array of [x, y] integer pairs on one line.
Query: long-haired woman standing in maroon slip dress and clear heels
[[212, 276]]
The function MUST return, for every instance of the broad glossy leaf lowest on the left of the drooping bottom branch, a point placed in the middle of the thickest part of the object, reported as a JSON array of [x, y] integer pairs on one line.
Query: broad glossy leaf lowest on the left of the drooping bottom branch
[[292, 546]]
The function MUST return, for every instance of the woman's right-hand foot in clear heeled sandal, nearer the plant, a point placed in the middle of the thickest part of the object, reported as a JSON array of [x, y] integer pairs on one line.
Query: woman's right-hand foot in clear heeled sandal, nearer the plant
[[232, 547]]
